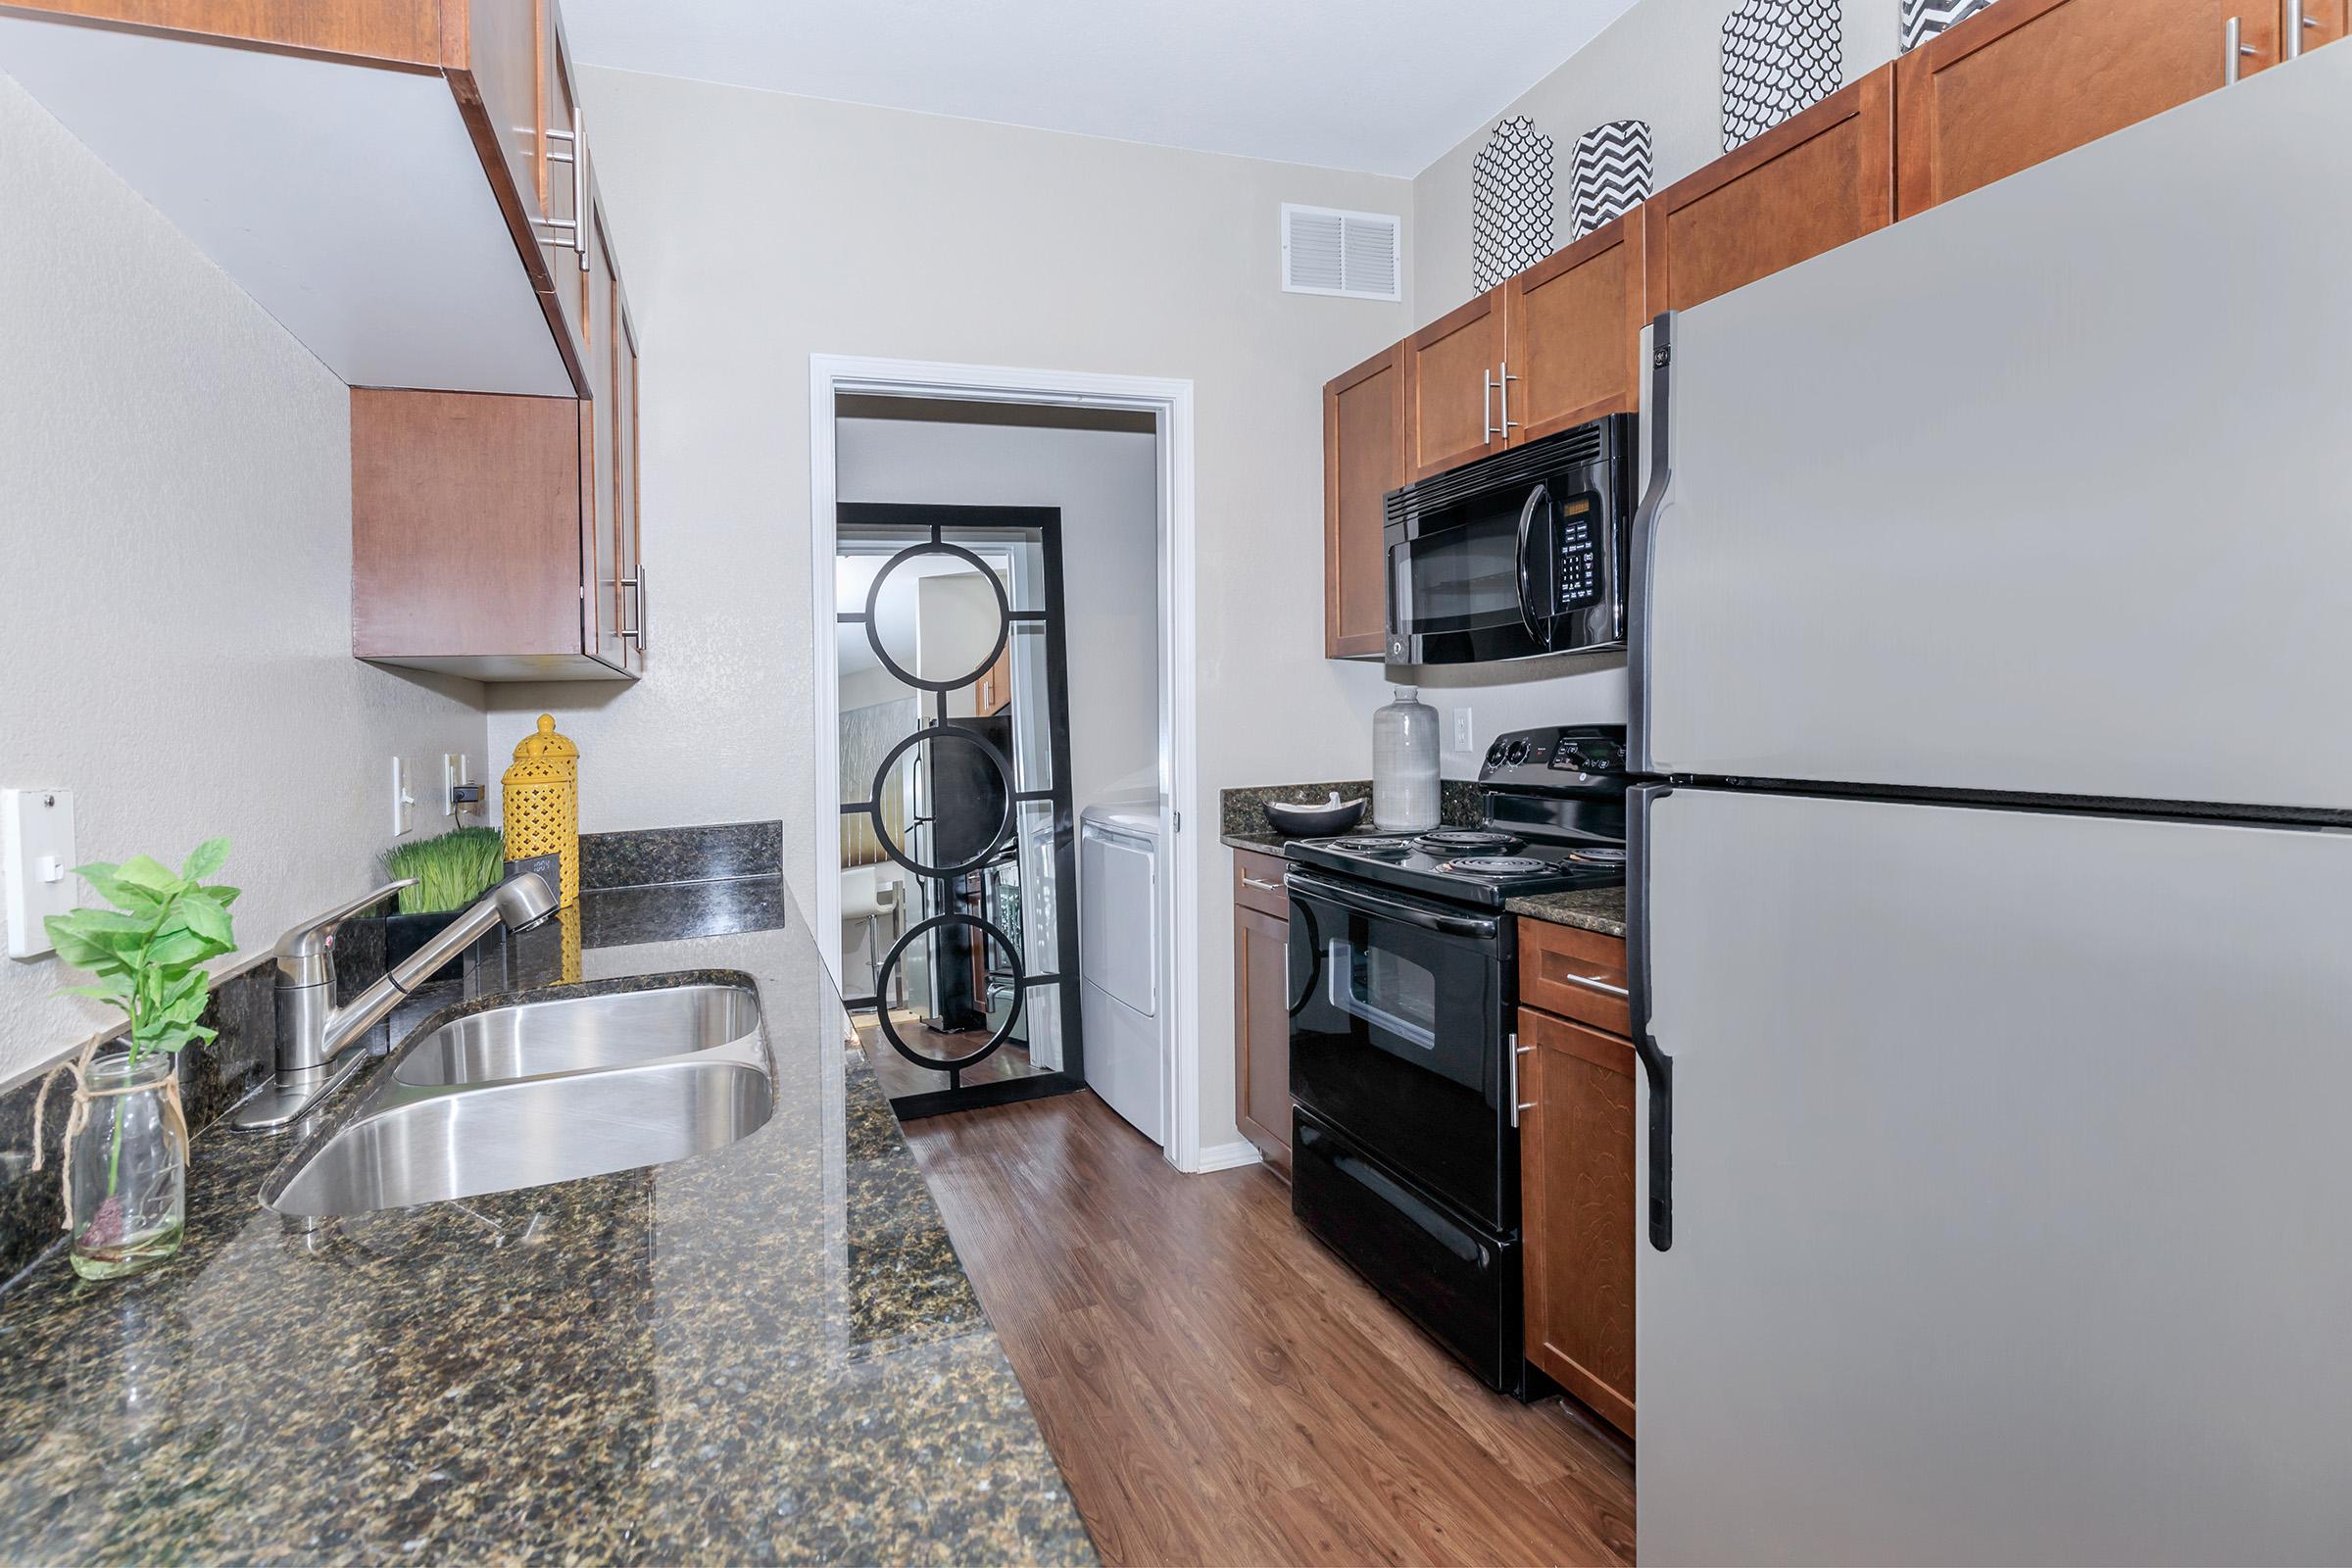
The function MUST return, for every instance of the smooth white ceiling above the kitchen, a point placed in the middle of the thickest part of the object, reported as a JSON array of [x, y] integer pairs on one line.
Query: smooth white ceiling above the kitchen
[[1377, 86]]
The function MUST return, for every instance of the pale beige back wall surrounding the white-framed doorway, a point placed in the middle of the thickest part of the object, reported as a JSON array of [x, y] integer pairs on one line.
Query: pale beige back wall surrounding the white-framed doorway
[[761, 229]]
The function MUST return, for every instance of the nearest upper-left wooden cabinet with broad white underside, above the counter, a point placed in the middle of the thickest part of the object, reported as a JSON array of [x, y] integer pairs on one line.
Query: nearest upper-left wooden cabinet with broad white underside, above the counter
[[366, 234]]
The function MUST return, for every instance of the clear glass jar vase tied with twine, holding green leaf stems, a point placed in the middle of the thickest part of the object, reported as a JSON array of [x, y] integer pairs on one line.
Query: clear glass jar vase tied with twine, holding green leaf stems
[[126, 1165]]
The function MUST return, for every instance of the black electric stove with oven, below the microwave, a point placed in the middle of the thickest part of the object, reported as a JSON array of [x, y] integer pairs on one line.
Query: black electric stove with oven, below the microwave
[[1405, 1078]]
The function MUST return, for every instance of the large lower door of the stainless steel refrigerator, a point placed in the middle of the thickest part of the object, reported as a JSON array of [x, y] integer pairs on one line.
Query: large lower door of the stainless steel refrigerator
[[2012, 1202]]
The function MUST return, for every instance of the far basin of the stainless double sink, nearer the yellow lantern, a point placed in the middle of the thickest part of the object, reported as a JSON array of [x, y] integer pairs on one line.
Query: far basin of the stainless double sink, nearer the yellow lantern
[[530, 1038]]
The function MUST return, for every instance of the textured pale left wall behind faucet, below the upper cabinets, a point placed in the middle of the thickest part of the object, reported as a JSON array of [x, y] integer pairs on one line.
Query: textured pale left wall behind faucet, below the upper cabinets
[[175, 516]]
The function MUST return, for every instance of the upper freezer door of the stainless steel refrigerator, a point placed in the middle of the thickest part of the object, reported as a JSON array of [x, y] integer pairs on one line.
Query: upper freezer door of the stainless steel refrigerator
[[2043, 490]]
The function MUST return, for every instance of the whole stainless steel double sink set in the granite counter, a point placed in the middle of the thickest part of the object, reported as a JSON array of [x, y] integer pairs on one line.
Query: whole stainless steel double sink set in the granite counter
[[542, 1092]]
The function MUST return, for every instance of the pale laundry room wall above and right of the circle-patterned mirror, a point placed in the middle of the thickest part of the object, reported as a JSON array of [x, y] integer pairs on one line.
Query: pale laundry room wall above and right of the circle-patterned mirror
[[1107, 485]]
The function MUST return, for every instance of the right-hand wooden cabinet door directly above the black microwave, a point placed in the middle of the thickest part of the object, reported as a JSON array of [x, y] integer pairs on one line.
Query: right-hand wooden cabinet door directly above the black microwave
[[1572, 328]]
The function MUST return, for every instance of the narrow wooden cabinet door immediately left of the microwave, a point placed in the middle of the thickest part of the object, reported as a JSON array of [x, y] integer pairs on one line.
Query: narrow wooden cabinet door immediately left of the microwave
[[1363, 462]]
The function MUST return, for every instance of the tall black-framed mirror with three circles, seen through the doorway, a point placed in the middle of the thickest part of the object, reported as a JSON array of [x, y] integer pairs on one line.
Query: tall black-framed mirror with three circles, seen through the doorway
[[956, 803]]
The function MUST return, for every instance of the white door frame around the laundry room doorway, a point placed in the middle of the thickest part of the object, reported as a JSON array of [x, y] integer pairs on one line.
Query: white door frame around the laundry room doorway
[[1170, 403]]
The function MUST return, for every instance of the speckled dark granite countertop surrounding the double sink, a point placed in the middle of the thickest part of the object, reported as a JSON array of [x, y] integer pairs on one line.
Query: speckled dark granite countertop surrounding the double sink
[[768, 1353]]
